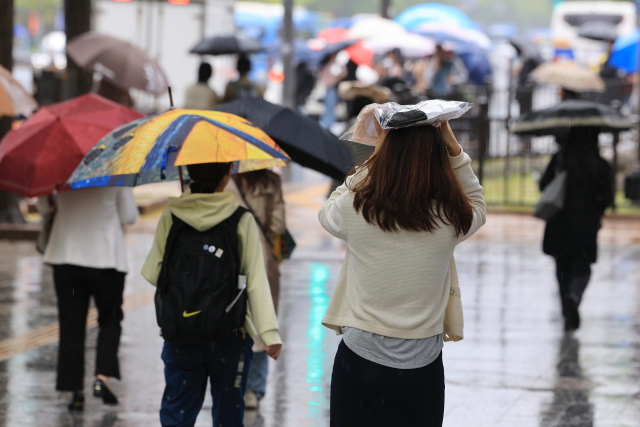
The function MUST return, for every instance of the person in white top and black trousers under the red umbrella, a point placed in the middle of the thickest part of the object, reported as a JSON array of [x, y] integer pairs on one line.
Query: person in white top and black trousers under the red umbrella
[[87, 252]]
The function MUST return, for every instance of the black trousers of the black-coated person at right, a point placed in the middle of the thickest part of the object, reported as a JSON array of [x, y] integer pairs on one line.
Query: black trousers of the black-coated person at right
[[573, 275]]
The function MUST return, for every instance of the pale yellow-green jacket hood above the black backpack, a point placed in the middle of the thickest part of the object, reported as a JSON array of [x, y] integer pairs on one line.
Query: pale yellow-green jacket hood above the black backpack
[[203, 211]]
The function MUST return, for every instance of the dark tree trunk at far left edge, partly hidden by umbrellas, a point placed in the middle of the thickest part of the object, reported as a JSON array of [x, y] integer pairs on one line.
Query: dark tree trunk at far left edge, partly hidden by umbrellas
[[9, 208]]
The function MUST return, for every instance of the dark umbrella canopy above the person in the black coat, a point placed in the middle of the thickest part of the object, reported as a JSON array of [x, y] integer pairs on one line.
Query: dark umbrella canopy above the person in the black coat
[[558, 119]]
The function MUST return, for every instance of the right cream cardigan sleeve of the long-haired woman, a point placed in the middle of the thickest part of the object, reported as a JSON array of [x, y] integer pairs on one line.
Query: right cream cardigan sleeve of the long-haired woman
[[461, 165]]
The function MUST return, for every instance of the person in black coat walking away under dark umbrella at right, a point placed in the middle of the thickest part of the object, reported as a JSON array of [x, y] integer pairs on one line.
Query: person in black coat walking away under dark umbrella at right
[[571, 236]]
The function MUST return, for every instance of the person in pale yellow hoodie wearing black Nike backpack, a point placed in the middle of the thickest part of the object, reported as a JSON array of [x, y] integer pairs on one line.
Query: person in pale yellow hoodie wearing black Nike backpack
[[213, 296]]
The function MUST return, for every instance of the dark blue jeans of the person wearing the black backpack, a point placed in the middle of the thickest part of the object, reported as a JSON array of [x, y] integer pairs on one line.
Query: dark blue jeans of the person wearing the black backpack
[[186, 370]]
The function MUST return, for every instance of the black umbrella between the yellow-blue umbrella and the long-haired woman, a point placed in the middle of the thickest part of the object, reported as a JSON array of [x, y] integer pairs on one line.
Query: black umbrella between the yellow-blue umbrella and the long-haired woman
[[301, 137]]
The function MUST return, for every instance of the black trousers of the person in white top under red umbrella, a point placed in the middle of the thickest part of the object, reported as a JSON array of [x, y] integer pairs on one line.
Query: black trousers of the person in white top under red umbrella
[[74, 287]]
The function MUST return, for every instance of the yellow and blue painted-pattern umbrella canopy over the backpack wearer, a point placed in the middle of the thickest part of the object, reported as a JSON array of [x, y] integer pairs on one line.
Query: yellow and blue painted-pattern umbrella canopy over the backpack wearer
[[151, 149]]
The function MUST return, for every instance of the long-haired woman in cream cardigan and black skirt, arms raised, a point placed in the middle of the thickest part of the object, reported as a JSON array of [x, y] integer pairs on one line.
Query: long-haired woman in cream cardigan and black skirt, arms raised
[[402, 214]]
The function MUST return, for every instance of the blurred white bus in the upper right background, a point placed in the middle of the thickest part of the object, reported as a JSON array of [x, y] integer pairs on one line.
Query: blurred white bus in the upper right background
[[567, 17]]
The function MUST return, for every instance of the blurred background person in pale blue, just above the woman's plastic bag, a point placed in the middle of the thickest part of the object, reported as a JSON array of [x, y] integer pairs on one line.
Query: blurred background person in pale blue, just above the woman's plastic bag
[[443, 71]]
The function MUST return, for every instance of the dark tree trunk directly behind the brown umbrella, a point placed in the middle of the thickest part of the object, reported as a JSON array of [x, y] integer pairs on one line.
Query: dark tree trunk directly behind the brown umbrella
[[77, 21]]
